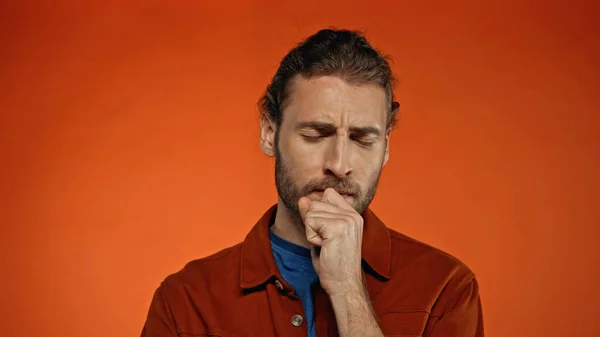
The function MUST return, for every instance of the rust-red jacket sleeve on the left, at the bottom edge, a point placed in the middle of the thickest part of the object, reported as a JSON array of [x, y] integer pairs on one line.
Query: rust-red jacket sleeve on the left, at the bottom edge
[[160, 321]]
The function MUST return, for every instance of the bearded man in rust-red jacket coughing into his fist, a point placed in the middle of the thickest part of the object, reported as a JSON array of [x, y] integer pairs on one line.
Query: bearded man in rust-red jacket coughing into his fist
[[319, 262]]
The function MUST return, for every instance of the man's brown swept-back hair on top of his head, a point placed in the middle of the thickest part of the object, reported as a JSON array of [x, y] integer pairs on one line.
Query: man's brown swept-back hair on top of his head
[[342, 53]]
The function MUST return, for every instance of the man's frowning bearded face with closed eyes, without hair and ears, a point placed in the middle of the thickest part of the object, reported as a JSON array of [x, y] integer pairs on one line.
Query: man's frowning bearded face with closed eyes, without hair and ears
[[333, 134]]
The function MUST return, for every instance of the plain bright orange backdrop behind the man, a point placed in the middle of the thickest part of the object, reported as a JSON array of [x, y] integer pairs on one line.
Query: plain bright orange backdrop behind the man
[[129, 146]]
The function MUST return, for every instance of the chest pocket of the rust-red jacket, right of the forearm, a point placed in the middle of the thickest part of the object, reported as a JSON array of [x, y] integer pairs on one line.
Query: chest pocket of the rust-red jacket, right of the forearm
[[403, 323]]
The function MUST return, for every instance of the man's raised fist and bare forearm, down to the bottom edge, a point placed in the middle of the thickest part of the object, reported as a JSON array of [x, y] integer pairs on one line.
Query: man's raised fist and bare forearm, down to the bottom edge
[[335, 230]]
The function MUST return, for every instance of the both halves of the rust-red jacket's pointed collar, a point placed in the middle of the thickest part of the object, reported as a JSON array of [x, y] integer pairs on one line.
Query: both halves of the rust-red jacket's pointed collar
[[258, 264]]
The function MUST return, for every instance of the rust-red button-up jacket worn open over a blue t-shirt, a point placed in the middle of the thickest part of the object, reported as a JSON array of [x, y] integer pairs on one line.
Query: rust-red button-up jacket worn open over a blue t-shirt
[[416, 290]]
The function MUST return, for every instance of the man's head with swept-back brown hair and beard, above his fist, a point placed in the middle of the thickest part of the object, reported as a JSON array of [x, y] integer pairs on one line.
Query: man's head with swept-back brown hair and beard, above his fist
[[326, 118]]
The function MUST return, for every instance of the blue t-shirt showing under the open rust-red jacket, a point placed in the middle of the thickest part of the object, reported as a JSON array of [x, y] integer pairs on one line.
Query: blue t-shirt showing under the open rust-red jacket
[[295, 264]]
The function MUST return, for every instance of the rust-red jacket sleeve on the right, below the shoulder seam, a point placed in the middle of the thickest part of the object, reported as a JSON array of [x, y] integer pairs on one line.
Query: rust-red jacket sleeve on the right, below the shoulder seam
[[465, 319]]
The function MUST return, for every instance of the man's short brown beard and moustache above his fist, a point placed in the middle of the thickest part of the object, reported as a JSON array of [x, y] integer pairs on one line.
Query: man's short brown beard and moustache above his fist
[[289, 192]]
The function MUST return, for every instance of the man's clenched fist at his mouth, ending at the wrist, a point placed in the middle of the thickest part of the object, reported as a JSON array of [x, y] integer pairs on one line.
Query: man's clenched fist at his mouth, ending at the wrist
[[335, 230]]
